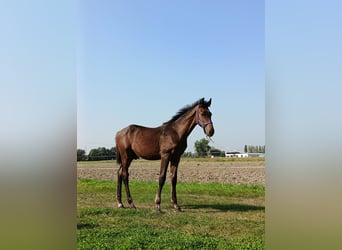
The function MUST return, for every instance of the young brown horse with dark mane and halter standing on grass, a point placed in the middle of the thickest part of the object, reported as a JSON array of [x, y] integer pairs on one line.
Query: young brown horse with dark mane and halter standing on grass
[[166, 143]]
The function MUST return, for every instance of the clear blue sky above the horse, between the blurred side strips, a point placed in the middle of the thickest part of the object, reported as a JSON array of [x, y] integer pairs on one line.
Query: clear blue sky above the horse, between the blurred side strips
[[141, 61]]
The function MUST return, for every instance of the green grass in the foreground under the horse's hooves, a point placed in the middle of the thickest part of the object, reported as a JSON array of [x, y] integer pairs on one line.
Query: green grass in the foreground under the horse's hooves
[[214, 216]]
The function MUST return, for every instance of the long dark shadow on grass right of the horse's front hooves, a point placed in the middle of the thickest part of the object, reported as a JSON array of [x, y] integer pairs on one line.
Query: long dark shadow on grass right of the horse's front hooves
[[227, 207]]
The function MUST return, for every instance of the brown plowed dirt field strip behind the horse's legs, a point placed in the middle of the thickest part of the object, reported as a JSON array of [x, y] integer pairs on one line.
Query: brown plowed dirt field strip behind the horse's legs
[[190, 170]]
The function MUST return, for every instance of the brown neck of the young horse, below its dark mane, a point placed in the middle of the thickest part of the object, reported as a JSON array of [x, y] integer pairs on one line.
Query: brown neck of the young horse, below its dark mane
[[185, 124]]
